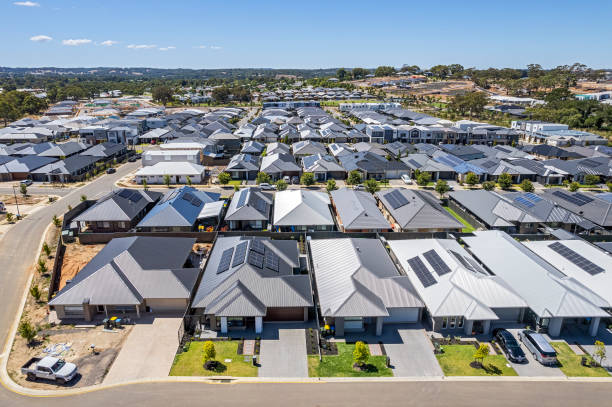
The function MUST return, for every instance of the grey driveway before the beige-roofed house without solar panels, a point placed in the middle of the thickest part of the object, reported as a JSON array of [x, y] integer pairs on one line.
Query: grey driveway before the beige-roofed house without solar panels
[[408, 347]]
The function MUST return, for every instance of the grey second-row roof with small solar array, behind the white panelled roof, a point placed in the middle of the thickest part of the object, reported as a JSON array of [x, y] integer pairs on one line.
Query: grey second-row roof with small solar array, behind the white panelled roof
[[421, 210]]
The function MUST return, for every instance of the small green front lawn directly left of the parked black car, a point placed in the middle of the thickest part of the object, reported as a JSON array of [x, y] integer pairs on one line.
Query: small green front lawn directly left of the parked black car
[[456, 359]]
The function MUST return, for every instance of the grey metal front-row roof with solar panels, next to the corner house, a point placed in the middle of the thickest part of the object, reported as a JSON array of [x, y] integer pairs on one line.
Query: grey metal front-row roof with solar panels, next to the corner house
[[248, 290]]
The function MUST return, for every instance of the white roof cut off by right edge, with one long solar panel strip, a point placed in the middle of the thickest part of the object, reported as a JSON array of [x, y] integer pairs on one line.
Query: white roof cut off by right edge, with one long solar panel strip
[[600, 283]]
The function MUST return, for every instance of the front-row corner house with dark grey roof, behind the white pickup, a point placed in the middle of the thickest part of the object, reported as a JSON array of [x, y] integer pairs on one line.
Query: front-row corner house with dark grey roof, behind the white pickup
[[139, 273]]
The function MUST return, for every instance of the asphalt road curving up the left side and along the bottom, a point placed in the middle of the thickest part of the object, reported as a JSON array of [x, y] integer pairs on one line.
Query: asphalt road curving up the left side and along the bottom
[[19, 250]]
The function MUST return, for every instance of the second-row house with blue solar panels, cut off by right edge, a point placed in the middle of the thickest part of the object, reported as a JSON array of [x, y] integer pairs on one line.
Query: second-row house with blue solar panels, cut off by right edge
[[586, 205]]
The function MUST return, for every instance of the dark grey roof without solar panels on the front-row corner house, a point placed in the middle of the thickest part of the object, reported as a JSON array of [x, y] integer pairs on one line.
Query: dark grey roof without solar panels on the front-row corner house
[[131, 269]]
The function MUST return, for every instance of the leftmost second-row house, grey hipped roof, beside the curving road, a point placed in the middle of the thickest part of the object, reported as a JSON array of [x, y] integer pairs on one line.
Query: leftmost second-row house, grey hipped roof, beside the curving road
[[118, 211]]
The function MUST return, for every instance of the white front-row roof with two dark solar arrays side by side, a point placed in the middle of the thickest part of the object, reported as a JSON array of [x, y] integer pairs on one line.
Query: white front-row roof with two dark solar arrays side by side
[[473, 294]]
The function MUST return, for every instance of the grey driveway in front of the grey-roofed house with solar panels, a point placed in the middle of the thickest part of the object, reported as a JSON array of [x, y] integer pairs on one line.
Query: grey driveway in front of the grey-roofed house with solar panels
[[283, 351]]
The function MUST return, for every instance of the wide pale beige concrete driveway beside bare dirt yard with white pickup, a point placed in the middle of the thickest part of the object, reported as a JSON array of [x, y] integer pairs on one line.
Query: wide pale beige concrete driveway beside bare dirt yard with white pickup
[[148, 351]]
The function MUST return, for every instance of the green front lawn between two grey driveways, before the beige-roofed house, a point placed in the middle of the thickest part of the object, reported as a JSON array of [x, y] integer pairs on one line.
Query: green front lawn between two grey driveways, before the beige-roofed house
[[342, 365]]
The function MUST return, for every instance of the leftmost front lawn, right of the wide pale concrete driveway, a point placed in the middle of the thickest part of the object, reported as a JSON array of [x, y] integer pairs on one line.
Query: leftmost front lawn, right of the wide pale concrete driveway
[[191, 363]]
